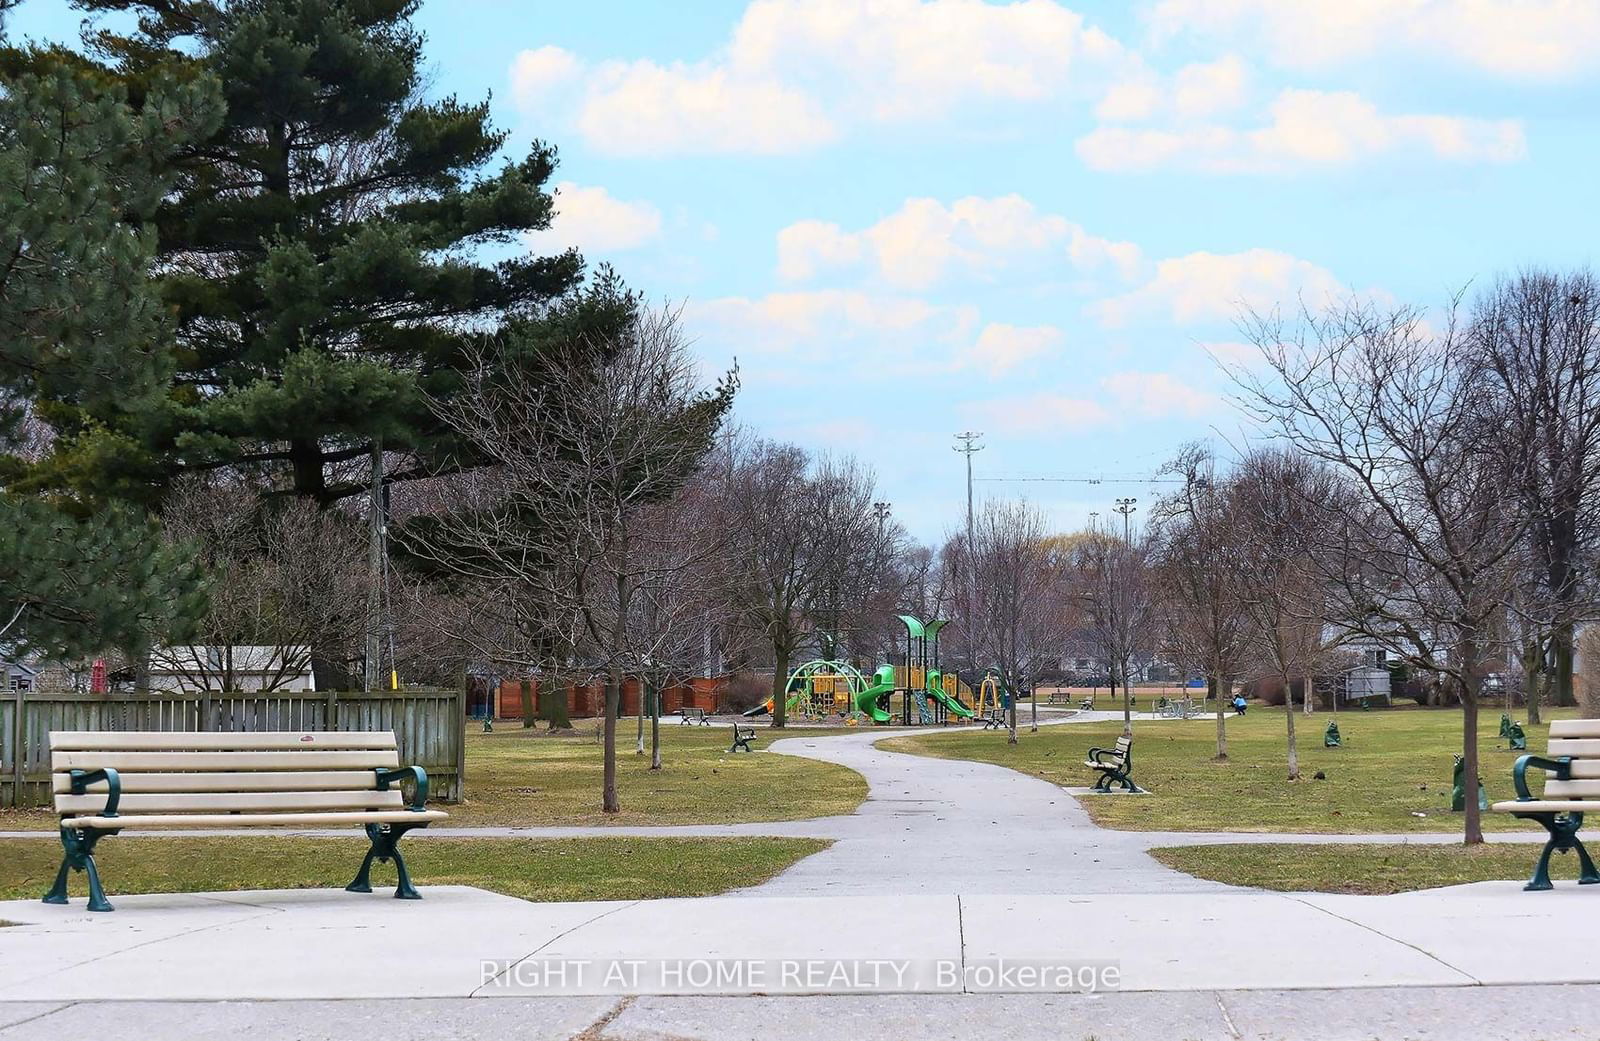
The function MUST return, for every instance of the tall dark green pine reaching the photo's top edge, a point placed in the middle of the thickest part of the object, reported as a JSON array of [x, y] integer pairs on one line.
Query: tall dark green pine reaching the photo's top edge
[[327, 249]]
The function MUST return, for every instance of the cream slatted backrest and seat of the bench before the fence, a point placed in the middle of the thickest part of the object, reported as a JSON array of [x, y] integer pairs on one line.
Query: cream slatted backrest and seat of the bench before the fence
[[180, 773]]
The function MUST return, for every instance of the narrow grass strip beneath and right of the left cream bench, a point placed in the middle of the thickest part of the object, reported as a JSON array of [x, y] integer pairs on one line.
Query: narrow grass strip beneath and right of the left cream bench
[[580, 869]]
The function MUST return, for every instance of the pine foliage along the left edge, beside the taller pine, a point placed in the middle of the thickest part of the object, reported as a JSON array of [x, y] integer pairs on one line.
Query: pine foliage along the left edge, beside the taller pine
[[82, 348]]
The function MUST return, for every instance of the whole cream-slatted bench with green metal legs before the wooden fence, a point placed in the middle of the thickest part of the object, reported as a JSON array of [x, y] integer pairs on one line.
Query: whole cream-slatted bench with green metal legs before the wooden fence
[[158, 781]]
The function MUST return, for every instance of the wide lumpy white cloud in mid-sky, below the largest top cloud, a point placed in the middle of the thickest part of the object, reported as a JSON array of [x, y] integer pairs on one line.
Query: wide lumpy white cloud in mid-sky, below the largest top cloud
[[926, 241]]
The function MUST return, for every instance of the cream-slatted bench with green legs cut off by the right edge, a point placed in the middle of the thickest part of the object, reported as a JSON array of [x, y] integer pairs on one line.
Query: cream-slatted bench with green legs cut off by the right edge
[[1574, 789]]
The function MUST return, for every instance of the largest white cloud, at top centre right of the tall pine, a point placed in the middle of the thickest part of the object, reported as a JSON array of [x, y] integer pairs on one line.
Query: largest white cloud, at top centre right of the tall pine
[[794, 73]]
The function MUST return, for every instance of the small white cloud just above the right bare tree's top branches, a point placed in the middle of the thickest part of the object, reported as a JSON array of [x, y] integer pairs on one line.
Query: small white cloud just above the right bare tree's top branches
[[1206, 287]]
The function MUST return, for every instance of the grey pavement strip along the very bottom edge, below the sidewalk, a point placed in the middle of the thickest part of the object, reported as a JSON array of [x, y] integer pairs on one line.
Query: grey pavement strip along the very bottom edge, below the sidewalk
[[1436, 1015]]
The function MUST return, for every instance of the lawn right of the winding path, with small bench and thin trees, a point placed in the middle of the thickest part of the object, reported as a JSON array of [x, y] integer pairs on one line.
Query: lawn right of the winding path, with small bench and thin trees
[[1396, 764]]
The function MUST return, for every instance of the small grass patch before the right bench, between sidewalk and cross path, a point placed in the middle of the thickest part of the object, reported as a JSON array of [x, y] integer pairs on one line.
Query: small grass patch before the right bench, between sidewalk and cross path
[[1369, 869]]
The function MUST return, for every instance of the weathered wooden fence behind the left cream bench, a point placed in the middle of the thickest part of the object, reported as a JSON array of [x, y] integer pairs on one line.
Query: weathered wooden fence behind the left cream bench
[[430, 727]]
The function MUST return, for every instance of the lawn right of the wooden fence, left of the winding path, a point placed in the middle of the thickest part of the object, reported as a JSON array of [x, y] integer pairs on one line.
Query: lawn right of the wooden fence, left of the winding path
[[521, 778]]
